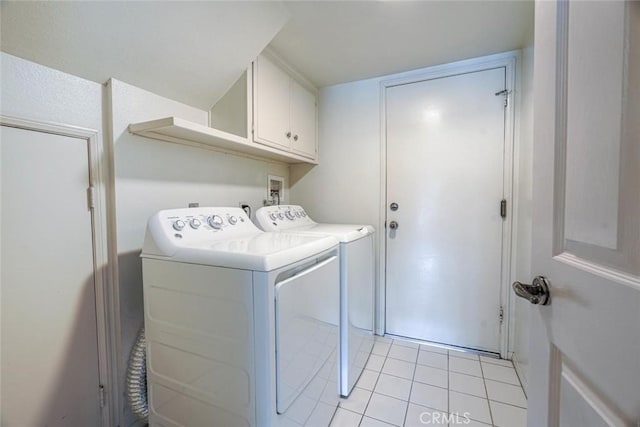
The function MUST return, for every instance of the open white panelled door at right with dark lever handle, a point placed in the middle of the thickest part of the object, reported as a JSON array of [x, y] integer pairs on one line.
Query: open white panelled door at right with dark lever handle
[[585, 345]]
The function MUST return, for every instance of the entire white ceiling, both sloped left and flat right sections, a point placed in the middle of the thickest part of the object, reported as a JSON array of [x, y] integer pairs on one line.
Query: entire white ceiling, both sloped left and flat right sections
[[193, 51]]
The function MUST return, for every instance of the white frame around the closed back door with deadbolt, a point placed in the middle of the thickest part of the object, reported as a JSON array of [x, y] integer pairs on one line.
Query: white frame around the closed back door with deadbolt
[[509, 60]]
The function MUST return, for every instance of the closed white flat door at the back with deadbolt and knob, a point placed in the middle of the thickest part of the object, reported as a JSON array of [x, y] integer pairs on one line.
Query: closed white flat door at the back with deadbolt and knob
[[445, 172]]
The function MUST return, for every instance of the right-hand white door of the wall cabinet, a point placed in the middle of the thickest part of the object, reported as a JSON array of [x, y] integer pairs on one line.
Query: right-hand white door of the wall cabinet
[[303, 121]]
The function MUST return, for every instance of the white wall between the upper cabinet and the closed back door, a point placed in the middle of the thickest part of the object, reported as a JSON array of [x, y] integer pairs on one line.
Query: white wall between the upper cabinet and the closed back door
[[344, 187]]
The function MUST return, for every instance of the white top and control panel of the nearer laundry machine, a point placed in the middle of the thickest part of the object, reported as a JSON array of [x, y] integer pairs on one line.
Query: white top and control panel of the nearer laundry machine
[[234, 243]]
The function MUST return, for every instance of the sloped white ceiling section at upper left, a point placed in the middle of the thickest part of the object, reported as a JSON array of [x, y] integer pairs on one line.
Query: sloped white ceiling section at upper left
[[189, 51]]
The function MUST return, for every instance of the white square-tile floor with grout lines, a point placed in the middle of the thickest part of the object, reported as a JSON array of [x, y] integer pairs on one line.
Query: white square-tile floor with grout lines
[[409, 384]]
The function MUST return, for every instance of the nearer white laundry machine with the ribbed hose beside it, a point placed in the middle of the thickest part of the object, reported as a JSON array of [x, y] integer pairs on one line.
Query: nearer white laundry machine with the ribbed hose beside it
[[241, 324]]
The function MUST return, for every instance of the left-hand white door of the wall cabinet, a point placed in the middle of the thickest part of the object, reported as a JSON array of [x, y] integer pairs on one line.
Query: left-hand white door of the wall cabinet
[[271, 104]]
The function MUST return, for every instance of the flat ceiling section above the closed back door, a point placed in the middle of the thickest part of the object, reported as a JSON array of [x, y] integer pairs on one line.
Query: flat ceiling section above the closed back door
[[334, 42]]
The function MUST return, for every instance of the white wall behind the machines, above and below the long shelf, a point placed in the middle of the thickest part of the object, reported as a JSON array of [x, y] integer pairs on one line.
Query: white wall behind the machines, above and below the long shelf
[[151, 175]]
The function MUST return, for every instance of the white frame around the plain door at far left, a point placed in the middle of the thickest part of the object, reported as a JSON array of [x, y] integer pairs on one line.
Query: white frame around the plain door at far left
[[105, 298]]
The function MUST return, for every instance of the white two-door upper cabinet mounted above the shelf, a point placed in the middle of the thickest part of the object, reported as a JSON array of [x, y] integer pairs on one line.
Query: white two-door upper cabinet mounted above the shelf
[[284, 112]]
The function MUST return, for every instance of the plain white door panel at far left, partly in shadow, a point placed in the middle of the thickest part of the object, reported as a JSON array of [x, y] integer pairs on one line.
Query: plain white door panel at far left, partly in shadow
[[49, 339]]
